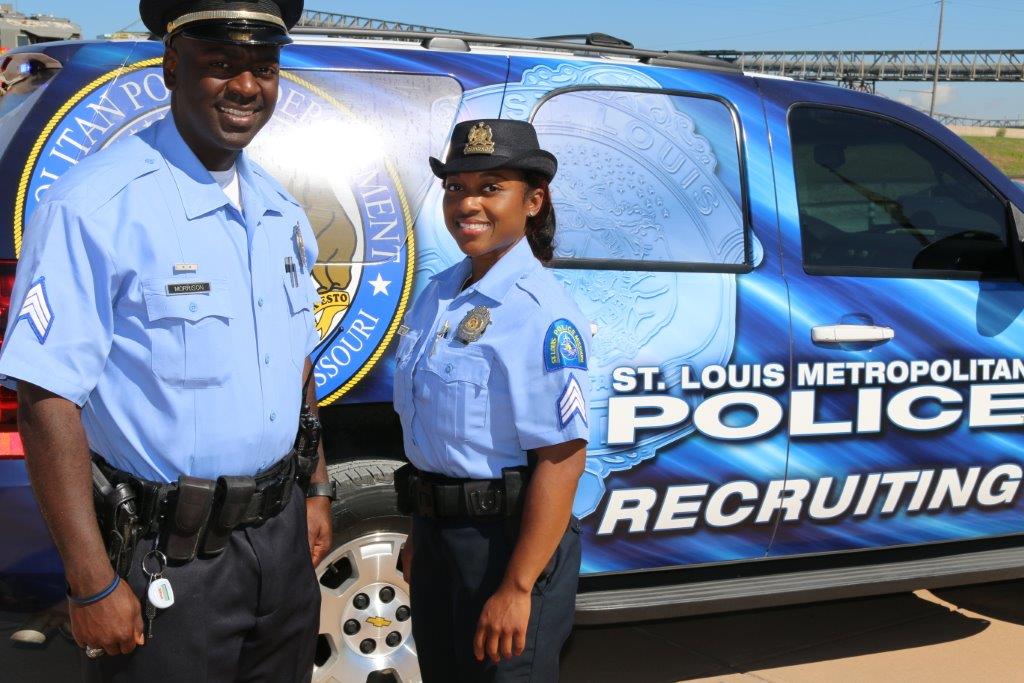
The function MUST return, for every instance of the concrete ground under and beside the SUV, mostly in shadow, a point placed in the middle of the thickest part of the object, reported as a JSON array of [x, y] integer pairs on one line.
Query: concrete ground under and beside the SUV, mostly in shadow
[[963, 634]]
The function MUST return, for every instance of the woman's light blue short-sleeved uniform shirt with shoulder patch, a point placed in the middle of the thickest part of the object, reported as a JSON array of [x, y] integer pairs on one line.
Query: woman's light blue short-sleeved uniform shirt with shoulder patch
[[471, 410]]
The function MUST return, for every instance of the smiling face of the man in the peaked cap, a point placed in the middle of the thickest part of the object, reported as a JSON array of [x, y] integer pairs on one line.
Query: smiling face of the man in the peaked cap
[[224, 96]]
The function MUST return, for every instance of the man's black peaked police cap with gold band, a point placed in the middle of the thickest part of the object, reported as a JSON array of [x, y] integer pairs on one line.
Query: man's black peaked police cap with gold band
[[237, 22]]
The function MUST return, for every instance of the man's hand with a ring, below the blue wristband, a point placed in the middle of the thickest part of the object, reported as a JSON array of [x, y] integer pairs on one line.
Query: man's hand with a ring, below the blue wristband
[[115, 624]]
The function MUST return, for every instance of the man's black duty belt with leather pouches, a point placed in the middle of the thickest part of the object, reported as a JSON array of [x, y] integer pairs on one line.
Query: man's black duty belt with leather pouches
[[195, 517]]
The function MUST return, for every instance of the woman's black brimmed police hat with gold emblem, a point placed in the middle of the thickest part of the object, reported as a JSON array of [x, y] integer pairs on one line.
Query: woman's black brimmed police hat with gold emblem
[[486, 145]]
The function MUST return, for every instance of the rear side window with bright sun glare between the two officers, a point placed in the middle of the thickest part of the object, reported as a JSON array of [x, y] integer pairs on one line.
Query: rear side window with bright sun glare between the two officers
[[348, 146]]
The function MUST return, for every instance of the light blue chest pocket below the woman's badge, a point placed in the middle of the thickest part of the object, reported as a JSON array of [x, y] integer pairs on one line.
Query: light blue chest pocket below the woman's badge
[[458, 388]]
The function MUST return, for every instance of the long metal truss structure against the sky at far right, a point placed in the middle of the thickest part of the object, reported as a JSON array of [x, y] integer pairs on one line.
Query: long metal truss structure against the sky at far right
[[874, 66]]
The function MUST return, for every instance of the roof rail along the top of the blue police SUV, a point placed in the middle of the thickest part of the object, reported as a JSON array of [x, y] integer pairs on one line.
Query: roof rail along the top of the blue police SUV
[[599, 49]]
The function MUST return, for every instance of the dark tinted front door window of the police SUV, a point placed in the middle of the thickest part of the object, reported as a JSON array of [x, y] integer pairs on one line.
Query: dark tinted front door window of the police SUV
[[877, 196]]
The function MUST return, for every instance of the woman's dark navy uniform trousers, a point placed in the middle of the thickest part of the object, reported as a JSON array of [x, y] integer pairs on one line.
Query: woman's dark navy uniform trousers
[[457, 566]]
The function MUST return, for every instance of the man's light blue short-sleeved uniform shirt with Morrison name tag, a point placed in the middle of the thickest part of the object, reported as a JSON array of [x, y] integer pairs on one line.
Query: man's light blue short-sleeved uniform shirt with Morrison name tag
[[146, 298]]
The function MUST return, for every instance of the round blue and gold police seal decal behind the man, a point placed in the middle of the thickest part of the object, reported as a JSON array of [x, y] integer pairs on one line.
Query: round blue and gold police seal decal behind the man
[[355, 202]]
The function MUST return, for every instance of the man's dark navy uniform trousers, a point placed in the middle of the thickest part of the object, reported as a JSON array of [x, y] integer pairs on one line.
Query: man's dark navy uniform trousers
[[251, 614]]
